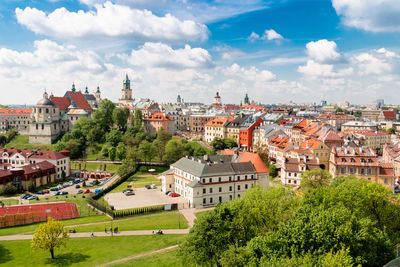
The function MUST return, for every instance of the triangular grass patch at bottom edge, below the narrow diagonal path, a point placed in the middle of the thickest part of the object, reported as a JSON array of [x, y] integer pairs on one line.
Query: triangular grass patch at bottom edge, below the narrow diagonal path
[[167, 258]]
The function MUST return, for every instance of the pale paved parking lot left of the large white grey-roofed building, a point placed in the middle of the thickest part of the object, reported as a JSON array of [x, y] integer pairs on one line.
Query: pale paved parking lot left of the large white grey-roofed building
[[143, 198]]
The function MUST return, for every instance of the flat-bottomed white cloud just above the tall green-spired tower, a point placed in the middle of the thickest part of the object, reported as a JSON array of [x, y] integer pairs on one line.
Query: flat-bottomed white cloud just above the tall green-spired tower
[[163, 56]]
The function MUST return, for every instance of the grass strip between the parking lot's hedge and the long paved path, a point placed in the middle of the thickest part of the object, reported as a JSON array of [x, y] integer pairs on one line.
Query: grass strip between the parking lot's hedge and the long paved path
[[164, 220]]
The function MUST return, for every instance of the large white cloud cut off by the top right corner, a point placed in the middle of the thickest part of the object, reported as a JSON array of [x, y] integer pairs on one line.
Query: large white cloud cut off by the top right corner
[[369, 15]]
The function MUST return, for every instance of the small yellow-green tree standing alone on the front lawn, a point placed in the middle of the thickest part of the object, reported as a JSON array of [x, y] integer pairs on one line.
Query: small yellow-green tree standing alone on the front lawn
[[49, 236]]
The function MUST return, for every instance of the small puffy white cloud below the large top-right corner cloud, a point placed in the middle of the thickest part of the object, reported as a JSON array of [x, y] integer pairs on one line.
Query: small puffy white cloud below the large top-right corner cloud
[[323, 51]]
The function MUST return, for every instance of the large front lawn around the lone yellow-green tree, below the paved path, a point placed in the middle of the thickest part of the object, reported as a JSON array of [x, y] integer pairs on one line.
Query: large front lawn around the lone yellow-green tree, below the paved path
[[90, 251]]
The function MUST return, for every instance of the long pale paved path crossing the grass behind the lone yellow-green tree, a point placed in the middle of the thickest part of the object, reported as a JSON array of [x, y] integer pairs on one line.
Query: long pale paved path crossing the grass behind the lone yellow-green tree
[[123, 233]]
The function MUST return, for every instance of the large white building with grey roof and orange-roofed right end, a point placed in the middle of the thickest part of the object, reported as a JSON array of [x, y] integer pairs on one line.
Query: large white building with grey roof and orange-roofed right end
[[205, 181]]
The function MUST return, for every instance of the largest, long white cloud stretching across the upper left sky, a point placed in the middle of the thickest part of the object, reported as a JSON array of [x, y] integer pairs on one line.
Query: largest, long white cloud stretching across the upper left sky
[[111, 20]]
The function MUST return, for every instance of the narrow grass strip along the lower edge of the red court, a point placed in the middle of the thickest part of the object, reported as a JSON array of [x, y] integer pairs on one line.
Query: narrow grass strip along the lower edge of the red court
[[30, 229]]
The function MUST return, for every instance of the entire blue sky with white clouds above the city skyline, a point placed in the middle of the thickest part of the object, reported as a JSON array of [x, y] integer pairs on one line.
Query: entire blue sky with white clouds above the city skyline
[[276, 51]]
